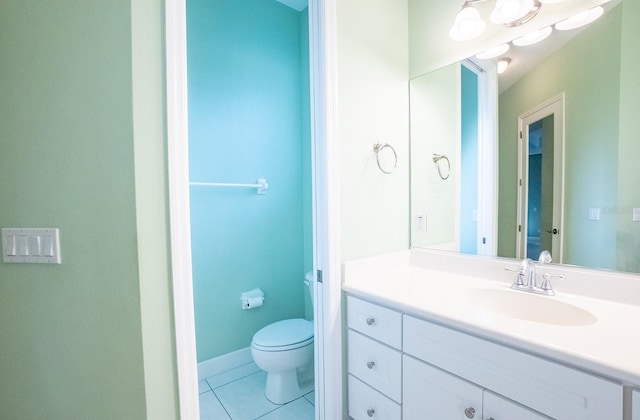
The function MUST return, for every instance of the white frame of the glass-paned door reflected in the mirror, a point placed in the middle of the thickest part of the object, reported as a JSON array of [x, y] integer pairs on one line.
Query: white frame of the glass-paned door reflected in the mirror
[[556, 107]]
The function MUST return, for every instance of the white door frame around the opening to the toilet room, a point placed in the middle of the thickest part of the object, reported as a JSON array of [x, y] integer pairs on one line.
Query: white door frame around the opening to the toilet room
[[326, 210]]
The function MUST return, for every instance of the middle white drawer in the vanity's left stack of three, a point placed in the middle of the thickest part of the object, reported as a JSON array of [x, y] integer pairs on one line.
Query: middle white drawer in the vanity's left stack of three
[[376, 364]]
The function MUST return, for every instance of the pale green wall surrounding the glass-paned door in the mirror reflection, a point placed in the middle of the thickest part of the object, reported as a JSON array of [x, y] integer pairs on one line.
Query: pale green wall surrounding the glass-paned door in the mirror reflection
[[585, 68]]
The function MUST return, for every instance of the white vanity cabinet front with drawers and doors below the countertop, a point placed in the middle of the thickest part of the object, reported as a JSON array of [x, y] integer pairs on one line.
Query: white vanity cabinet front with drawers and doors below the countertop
[[403, 366]]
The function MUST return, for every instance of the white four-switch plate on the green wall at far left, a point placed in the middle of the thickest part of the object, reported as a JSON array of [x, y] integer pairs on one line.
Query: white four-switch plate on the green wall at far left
[[27, 245]]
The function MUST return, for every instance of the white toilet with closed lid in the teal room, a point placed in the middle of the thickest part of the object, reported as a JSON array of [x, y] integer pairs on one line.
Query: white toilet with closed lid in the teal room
[[284, 350]]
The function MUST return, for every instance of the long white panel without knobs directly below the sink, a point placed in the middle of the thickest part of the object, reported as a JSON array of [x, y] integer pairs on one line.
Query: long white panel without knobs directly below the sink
[[548, 387]]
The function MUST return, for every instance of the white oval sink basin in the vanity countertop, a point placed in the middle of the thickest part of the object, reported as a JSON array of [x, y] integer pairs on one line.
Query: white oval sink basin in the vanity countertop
[[528, 307]]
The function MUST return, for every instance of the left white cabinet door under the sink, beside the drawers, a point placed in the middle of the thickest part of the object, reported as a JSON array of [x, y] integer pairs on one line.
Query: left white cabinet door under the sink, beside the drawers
[[433, 394]]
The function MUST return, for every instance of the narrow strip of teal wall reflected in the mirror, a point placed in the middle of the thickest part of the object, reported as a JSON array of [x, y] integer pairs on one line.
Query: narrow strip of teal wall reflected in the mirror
[[469, 162]]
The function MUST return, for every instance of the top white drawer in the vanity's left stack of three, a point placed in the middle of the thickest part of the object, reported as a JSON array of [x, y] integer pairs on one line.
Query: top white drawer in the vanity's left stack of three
[[375, 321]]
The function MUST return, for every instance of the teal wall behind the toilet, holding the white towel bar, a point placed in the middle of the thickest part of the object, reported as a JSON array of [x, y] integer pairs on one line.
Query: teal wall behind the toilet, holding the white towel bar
[[248, 119]]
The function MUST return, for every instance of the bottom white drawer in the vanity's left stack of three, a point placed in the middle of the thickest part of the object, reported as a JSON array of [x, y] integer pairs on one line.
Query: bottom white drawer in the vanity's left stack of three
[[365, 403]]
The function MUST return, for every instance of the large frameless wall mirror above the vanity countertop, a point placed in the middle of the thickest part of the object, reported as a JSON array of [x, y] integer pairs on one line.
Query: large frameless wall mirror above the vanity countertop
[[546, 162]]
